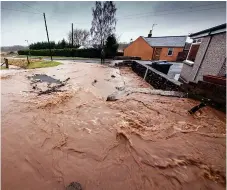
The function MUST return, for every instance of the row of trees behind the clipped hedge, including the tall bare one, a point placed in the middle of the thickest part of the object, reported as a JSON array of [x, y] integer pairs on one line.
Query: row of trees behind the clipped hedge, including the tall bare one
[[101, 35]]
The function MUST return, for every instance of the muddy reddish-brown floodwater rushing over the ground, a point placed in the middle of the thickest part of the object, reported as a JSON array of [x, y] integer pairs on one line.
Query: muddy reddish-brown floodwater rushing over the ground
[[141, 141]]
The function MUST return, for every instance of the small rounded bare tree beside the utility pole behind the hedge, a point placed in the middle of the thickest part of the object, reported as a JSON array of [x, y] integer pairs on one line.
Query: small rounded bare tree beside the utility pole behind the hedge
[[80, 37]]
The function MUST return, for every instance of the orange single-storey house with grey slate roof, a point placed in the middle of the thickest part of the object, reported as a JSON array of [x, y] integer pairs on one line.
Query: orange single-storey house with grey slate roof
[[156, 48]]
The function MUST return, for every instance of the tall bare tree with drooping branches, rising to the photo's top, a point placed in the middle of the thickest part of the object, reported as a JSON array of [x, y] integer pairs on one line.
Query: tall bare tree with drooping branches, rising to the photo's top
[[104, 21]]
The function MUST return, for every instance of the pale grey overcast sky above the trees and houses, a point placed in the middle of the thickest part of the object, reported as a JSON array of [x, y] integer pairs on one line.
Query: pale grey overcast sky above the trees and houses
[[134, 19]]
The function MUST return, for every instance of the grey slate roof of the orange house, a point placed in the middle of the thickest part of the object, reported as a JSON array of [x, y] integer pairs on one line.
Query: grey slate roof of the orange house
[[166, 41]]
